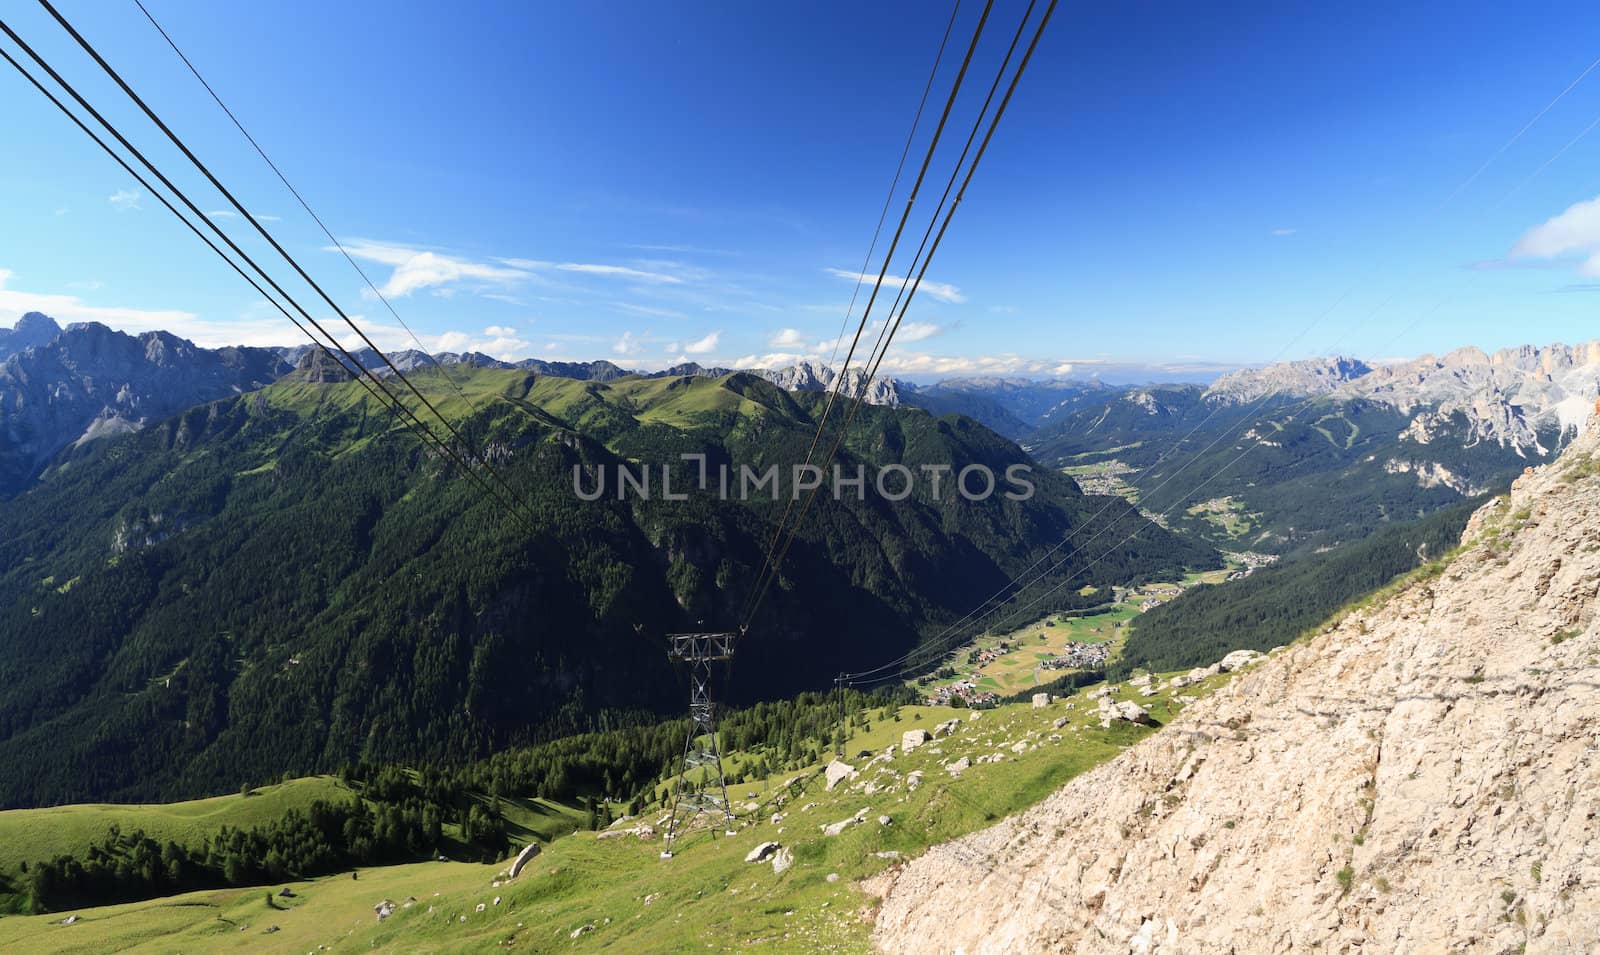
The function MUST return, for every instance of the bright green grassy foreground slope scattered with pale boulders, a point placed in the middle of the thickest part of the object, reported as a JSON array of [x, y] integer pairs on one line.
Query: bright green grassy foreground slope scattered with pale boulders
[[615, 895]]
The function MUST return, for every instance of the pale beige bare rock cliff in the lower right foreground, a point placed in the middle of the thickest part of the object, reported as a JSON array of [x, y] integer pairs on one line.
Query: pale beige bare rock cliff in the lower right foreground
[[1420, 777]]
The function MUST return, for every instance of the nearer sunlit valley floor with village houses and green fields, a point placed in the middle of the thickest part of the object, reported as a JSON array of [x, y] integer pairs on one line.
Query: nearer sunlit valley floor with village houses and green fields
[[1001, 665]]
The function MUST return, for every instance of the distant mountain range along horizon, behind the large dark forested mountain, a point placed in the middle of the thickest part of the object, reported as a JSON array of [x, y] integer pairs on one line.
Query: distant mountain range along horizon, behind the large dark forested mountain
[[1297, 455]]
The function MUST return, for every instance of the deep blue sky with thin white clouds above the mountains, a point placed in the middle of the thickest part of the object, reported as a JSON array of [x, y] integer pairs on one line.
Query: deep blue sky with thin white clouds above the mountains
[[1174, 186]]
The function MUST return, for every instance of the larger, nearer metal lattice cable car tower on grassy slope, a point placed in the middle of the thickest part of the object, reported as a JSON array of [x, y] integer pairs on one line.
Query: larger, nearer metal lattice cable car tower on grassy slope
[[700, 652]]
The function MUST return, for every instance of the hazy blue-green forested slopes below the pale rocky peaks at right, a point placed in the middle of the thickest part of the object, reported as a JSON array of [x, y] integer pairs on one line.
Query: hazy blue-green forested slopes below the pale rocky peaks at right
[[1279, 474]]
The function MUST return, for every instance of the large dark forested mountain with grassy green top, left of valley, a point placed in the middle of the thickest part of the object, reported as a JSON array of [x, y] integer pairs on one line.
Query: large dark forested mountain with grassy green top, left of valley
[[284, 581]]
